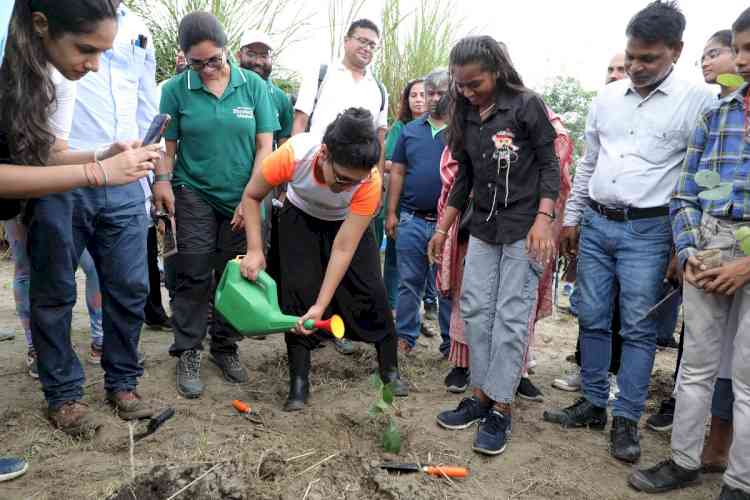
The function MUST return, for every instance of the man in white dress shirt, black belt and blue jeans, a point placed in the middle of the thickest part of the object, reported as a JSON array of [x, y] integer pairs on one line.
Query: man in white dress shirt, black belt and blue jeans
[[636, 138]]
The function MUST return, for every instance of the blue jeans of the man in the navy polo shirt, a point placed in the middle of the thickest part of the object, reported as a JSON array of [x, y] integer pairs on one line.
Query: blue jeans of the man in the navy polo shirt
[[412, 237]]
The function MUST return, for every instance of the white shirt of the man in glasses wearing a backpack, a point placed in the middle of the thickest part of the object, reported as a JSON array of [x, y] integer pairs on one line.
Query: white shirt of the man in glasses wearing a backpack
[[338, 92]]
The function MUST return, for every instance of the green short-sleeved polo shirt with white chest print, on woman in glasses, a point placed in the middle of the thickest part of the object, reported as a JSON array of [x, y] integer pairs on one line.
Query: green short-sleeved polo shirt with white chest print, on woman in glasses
[[216, 136]]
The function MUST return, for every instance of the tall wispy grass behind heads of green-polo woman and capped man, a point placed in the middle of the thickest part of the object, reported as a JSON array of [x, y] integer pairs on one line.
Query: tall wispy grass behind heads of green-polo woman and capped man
[[285, 21]]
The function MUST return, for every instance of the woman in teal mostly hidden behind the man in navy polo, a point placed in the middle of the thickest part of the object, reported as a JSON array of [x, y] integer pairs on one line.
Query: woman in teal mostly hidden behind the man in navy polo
[[412, 105]]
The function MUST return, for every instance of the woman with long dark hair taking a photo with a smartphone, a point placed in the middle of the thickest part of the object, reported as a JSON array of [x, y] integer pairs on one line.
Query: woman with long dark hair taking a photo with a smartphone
[[45, 53]]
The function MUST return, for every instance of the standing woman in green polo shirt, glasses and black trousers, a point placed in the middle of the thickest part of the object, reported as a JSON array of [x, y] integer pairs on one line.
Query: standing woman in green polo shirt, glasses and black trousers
[[222, 127]]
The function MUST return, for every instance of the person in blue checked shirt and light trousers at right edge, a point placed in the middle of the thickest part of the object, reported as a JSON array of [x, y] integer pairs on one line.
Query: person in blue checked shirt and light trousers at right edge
[[716, 296]]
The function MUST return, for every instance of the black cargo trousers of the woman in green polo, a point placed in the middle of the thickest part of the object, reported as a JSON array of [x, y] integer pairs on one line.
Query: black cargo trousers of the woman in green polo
[[205, 243]]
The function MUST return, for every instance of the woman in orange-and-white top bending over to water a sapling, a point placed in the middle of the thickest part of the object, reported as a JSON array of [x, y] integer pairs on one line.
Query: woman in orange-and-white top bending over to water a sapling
[[328, 261]]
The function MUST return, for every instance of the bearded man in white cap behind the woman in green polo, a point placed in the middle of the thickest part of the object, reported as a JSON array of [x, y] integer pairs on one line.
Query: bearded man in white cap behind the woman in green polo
[[256, 54]]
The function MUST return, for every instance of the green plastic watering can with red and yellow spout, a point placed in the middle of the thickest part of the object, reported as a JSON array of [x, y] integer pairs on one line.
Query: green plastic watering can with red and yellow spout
[[252, 308]]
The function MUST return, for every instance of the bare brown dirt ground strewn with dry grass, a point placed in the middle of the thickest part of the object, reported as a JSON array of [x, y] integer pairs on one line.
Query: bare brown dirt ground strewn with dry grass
[[278, 460]]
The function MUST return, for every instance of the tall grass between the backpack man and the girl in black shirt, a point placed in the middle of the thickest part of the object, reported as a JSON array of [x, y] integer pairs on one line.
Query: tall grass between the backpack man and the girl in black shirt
[[414, 43]]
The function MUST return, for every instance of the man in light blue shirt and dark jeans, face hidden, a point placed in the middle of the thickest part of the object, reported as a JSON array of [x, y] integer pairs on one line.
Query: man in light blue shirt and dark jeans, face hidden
[[115, 103]]
